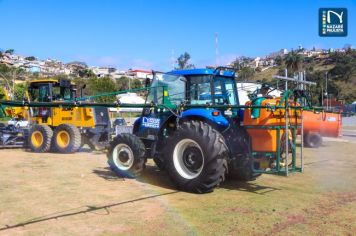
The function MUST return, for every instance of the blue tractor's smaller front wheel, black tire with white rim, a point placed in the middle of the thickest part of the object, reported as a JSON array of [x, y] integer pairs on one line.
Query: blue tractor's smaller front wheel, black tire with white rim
[[126, 155]]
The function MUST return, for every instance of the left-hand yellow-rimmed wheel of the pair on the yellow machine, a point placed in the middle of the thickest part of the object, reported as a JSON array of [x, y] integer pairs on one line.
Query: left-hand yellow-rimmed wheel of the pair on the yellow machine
[[40, 138]]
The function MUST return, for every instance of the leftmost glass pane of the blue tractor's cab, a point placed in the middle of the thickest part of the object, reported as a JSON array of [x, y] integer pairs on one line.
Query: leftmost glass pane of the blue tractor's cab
[[167, 89]]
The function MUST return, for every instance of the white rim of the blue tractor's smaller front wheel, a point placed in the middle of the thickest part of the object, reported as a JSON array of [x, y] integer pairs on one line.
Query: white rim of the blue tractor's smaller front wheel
[[123, 156]]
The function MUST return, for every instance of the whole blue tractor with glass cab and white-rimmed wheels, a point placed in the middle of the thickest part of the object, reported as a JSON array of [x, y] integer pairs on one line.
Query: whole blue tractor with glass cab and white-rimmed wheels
[[197, 145]]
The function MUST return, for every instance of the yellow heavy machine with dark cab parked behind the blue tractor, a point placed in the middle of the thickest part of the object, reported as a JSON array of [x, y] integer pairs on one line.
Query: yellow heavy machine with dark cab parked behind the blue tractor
[[63, 129]]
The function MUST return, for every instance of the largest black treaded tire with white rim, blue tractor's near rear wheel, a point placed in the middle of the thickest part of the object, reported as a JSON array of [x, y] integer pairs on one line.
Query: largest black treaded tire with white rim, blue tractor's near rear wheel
[[195, 157]]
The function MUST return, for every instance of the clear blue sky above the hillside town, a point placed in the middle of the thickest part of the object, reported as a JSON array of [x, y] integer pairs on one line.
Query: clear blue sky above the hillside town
[[146, 33]]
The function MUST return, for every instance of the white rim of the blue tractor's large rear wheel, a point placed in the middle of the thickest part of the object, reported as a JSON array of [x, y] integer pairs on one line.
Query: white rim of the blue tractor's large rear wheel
[[188, 158]]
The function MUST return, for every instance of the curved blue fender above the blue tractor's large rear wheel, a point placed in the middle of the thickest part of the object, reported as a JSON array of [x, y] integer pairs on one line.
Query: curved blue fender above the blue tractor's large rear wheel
[[206, 114]]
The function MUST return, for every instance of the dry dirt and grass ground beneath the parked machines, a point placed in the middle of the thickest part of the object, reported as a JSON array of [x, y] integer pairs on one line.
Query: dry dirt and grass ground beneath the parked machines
[[54, 194]]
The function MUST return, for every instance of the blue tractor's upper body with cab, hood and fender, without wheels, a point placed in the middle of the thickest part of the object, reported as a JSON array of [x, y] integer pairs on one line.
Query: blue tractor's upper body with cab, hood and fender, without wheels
[[182, 93]]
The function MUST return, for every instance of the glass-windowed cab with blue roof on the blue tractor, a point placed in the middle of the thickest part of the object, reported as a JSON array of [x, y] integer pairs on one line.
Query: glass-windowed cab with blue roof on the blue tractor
[[194, 87]]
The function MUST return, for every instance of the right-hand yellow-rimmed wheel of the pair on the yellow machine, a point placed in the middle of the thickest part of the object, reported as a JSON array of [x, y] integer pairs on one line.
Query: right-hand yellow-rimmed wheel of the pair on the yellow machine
[[70, 134]]
